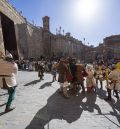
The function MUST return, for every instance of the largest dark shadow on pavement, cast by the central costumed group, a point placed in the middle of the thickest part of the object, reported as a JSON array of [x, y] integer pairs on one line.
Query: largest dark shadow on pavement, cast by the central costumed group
[[58, 107]]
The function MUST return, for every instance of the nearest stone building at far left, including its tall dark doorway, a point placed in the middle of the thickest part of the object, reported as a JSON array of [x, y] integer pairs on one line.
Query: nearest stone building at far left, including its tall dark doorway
[[11, 29]]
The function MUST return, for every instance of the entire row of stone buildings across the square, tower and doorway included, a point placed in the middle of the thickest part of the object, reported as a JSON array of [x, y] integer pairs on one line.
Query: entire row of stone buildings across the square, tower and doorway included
[[25, 40]]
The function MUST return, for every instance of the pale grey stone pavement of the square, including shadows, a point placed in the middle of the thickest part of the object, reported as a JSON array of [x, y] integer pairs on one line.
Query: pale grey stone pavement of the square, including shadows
[[39, 105]]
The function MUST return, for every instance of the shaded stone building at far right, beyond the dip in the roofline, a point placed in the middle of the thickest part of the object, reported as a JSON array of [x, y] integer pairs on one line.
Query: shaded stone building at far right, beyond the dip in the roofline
[[109, 50]]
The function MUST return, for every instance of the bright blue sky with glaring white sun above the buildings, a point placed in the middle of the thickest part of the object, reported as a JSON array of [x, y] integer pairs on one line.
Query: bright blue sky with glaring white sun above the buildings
[[89, 19]]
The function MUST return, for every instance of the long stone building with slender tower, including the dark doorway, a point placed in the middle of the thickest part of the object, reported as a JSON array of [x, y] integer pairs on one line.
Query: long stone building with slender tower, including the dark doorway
[[25, 40]]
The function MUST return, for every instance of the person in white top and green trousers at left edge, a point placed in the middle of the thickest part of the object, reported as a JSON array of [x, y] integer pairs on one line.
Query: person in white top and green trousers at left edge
[[8, 72]]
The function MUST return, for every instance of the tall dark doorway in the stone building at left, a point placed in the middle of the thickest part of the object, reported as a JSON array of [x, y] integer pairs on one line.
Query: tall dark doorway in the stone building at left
[[9, 36]]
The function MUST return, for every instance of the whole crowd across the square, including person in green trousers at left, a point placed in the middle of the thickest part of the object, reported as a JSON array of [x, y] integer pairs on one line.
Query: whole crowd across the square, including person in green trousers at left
[[72, 75]]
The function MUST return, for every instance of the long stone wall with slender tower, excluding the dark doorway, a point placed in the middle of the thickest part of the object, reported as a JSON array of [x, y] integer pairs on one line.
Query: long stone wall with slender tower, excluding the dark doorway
[[34, 42]]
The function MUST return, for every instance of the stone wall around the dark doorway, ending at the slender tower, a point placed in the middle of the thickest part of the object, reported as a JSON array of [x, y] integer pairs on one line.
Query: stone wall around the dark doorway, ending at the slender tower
[[28, 37]]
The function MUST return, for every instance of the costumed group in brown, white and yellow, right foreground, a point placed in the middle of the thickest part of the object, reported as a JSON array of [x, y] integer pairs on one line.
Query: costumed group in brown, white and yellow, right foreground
[[74, 75]]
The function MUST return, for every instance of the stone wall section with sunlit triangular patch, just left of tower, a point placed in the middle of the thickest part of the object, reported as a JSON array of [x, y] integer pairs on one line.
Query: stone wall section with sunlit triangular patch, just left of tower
[[35, 41]]
